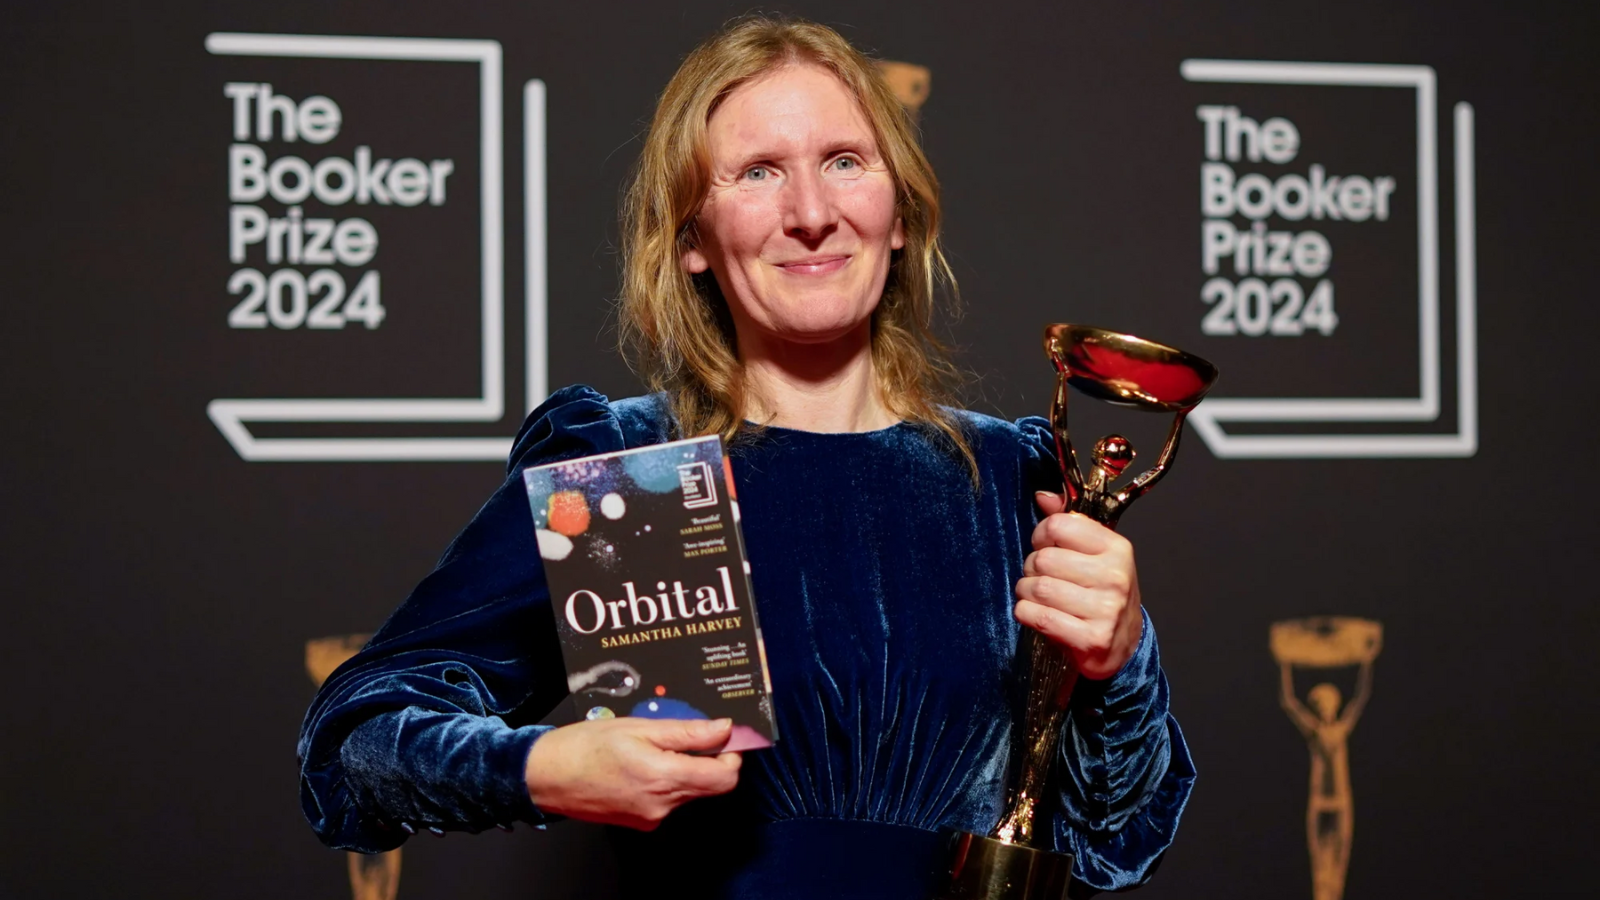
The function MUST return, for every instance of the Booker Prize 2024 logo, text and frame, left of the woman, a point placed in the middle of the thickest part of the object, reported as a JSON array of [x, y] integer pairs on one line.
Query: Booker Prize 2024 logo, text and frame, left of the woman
[[366, 247]]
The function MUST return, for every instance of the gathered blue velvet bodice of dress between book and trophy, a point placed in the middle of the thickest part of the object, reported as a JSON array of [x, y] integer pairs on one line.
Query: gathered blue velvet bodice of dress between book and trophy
[[884, 581]]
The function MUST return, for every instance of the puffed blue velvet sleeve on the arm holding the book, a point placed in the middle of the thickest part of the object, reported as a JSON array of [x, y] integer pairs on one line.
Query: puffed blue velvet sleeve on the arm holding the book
[[410, 733]]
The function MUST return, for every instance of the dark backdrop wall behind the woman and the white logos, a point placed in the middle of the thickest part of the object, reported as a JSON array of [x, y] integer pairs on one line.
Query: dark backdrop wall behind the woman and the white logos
[[161, 590]]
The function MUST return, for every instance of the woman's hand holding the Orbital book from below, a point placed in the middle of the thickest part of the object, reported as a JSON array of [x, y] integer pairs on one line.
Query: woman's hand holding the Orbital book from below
[[630, 771]]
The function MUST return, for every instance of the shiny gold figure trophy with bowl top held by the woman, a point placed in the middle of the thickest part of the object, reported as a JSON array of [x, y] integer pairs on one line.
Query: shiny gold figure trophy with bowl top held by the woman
[[1014, 862]]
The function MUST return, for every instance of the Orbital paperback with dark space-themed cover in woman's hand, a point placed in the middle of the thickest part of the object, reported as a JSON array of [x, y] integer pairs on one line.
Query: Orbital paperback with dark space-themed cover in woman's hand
[[652, 590]]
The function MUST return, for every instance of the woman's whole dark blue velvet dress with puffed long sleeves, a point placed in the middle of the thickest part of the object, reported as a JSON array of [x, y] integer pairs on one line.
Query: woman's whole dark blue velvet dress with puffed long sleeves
[[886, 587]]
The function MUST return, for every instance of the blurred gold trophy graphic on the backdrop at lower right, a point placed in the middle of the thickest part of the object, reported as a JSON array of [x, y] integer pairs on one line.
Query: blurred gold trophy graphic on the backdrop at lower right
[[1327, 643]]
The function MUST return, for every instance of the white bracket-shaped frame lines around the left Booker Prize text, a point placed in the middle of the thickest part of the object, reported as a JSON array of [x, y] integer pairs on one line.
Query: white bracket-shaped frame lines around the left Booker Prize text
[[230, 416]]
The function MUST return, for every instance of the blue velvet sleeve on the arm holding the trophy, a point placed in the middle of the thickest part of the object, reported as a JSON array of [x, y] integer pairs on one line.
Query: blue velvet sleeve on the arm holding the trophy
[[1124, 768]]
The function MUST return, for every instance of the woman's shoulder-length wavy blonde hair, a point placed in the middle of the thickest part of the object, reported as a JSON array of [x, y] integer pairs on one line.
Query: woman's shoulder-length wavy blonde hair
[[676, 327]]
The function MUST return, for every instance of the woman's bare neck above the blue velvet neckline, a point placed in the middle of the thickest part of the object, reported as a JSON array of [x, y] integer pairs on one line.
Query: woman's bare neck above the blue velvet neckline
[[825, 387]]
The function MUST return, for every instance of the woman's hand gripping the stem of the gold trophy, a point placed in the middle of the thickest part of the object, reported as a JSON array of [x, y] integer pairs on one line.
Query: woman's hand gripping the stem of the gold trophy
[[1081, 590]]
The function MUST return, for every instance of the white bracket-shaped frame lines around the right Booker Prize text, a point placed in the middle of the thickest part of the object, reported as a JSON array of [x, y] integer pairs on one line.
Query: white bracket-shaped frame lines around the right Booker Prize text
[[1426, 408]]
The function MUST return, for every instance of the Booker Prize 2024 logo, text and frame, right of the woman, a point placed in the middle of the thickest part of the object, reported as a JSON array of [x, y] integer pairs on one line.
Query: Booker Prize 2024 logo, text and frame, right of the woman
[[1319, 260]]
